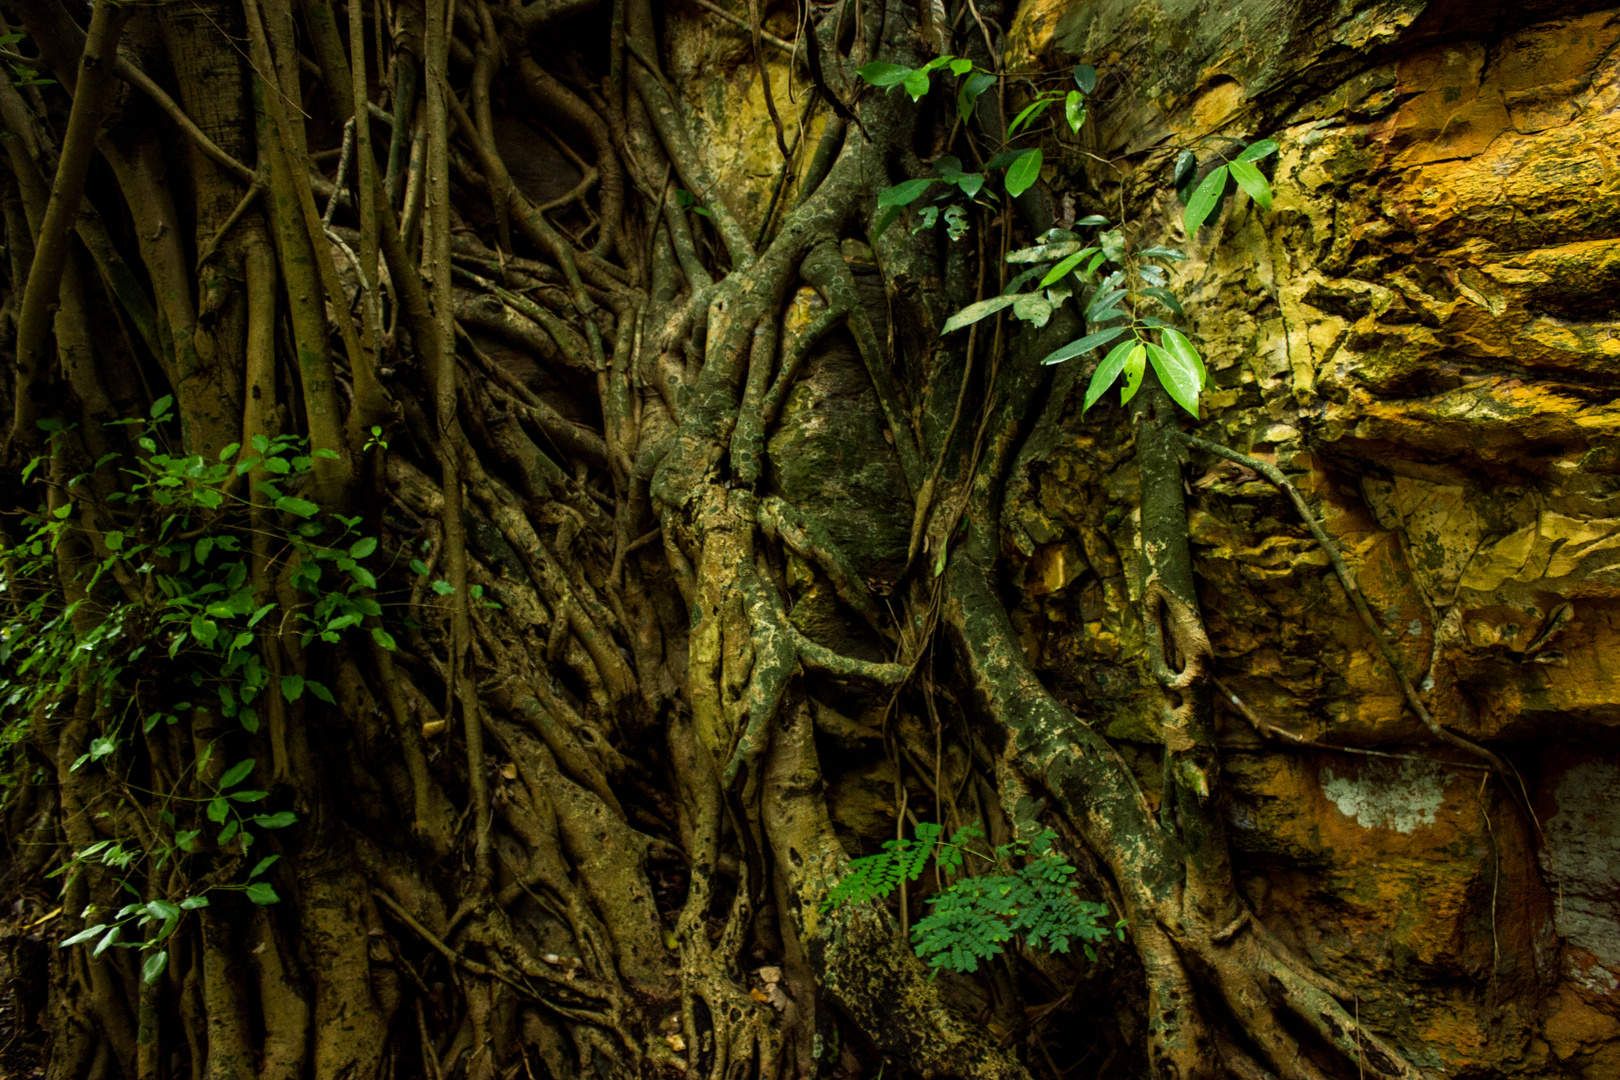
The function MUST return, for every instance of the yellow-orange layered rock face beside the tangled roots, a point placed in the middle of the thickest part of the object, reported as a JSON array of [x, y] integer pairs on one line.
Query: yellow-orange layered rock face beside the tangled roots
[[1423, 333]]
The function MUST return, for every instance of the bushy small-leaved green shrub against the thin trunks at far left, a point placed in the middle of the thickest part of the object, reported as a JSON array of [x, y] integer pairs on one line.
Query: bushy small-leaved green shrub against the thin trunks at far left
[[181, 576]]
